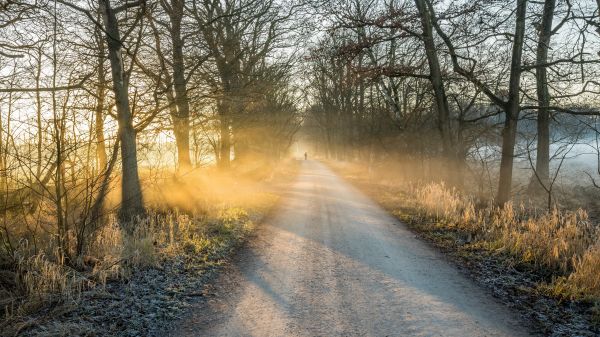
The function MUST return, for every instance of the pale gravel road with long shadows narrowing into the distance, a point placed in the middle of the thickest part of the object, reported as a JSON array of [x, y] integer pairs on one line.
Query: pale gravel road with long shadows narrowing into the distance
[[330, 262]]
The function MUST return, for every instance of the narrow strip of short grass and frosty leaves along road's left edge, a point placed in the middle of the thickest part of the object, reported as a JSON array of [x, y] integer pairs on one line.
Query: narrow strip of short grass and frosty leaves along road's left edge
[[147, 300]]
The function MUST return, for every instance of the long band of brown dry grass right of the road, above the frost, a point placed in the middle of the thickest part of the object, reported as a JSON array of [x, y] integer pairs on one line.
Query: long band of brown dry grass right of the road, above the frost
[[563, 243]]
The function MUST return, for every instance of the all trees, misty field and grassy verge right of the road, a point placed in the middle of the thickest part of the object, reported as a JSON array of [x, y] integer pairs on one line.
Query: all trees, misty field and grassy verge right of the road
[[473, 122]]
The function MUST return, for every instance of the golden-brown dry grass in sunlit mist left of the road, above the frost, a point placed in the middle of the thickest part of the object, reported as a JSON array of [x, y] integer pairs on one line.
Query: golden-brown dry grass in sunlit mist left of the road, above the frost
[[203, 213]]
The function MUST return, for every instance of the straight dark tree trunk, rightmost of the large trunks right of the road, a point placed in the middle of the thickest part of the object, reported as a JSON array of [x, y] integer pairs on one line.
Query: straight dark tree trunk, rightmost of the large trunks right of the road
[[542, 162]]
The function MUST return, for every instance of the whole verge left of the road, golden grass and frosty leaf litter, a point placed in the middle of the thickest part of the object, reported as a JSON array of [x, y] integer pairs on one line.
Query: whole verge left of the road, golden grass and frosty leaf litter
[[133, 284]]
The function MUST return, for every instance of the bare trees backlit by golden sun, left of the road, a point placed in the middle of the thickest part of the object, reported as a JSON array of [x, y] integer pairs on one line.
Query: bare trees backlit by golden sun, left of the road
[[92, 90]]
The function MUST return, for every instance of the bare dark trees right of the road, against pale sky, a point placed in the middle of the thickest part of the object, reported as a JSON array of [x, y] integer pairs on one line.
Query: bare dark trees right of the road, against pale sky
[[434, 78]]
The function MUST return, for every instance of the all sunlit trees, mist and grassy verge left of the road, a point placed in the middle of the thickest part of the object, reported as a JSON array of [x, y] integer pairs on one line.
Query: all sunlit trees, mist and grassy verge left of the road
[[139, 142]]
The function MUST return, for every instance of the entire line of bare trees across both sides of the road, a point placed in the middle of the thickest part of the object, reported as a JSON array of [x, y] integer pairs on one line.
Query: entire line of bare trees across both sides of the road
[[95, 93]]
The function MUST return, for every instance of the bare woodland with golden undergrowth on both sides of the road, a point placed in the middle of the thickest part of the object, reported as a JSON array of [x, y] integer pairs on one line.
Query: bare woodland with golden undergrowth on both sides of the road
[[134, 132]]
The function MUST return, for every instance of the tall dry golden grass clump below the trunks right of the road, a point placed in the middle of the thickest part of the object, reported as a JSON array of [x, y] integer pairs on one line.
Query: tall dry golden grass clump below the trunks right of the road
[[555, 240]]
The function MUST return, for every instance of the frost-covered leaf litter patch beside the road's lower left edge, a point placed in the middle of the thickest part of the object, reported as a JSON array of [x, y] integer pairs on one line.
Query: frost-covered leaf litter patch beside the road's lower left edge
[[139, 307]]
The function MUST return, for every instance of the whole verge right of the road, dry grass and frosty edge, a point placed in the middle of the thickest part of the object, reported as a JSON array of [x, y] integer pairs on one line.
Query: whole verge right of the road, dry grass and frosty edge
[[546, 263]]
